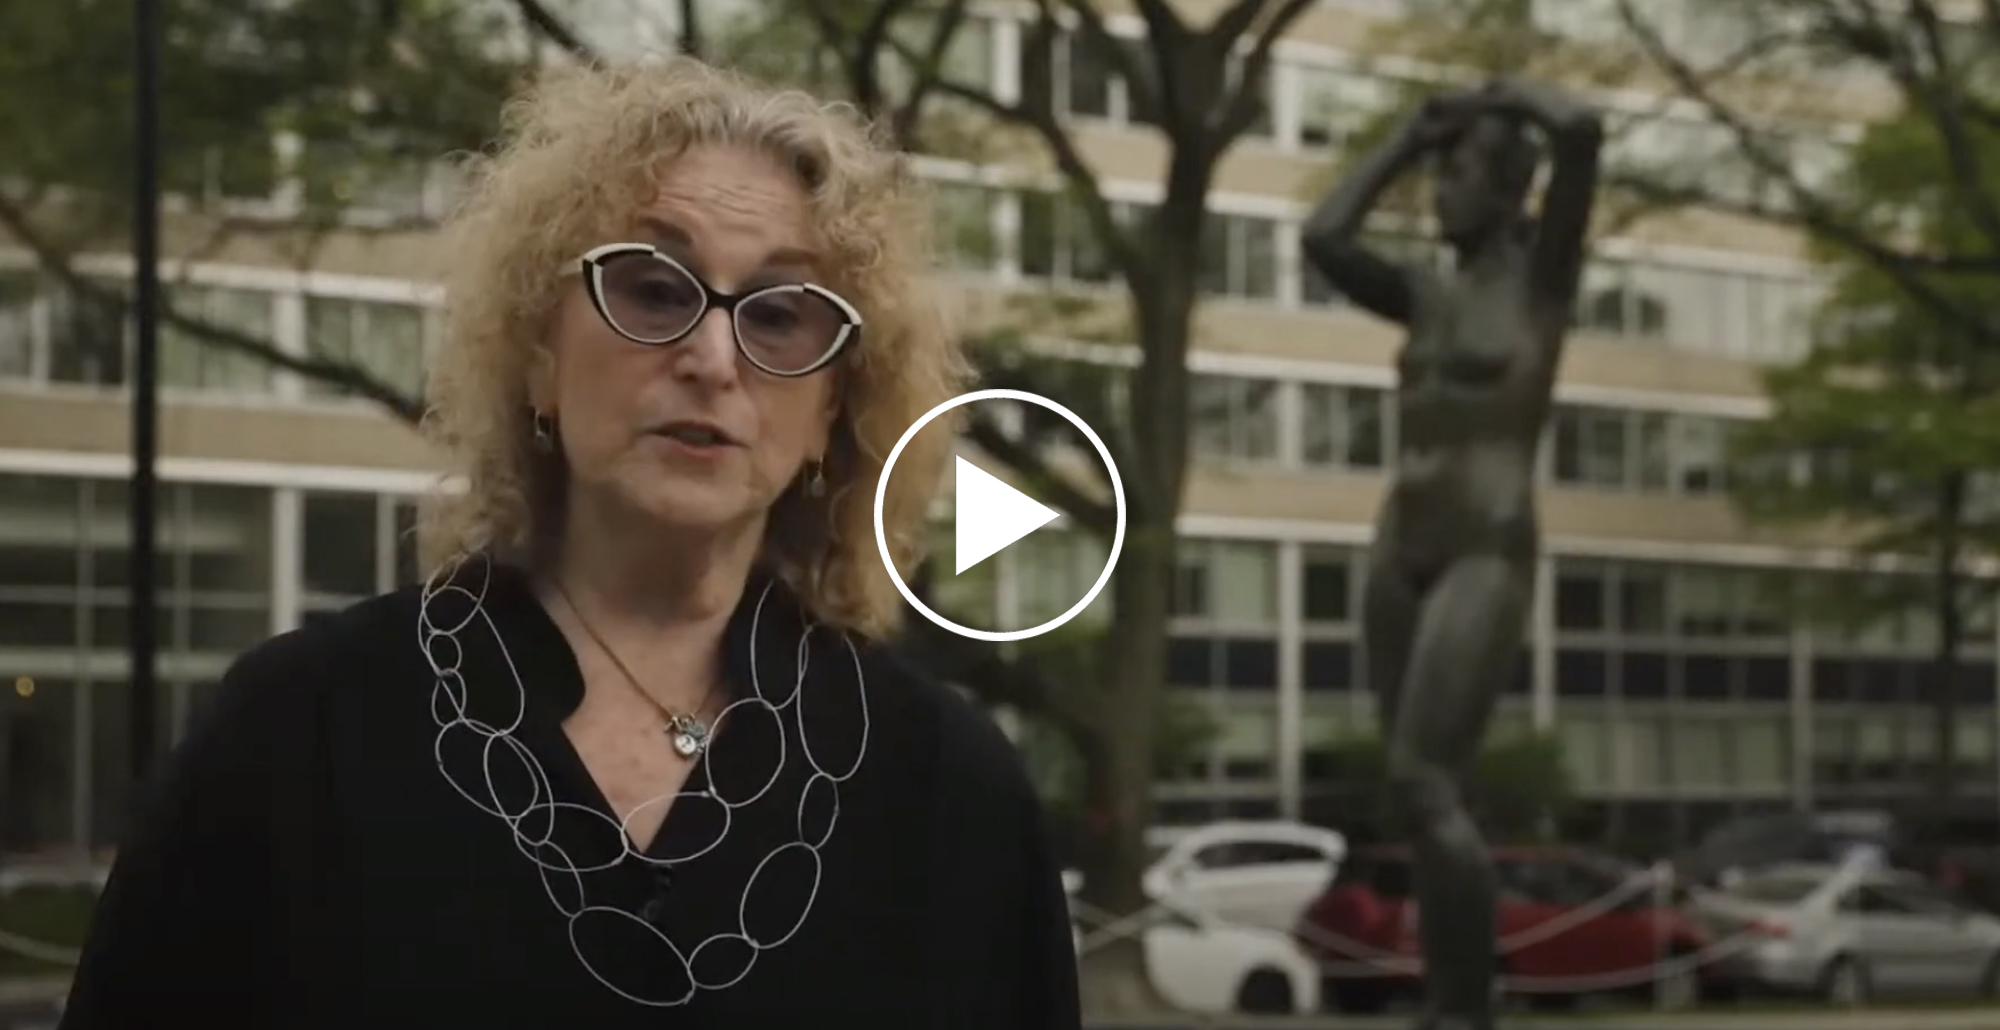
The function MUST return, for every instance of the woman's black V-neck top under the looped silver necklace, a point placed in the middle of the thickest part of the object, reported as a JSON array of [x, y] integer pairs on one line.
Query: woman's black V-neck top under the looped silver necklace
[[381, 823]]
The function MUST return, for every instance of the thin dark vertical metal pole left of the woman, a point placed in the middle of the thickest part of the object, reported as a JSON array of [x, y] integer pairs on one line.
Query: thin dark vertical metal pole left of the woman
[[145, 385]]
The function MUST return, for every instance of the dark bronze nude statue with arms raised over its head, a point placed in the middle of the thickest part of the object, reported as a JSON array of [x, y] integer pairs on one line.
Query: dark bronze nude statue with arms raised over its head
[[1451, 573]]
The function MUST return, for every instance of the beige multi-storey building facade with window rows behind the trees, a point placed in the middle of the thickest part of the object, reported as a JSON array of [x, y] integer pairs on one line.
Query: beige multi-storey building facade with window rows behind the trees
[[1681, 693]]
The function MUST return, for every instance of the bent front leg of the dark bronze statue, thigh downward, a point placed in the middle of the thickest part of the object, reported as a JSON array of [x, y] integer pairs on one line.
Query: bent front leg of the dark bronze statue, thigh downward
[[1461, 661]]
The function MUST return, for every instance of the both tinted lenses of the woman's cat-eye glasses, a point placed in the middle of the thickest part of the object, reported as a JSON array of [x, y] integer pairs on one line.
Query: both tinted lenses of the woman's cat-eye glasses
[[783, 329]]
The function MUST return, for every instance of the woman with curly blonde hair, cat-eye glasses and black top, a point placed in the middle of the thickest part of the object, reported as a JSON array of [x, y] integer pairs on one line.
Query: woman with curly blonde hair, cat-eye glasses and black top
[[633, 757]]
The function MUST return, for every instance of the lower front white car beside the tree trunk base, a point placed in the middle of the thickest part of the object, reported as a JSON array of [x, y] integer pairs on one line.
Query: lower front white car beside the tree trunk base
[[1203, 967]]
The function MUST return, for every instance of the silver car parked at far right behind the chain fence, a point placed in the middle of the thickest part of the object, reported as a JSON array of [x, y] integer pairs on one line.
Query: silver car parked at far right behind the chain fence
[[1853, 933]]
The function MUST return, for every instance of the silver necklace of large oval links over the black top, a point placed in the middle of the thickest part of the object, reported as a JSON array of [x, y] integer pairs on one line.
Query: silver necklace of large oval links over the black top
[[453, 605]]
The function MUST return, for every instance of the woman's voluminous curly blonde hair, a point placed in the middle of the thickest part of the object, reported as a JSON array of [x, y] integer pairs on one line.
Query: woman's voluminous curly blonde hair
[[579, 153]]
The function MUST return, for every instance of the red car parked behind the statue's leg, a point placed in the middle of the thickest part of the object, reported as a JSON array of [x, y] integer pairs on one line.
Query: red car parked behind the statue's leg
[[1571, 923]]
